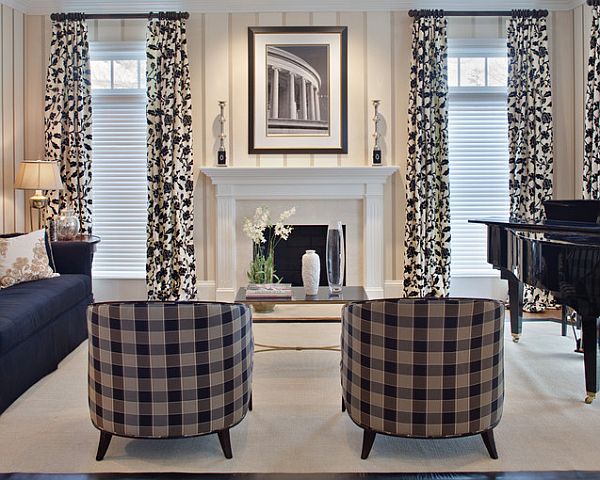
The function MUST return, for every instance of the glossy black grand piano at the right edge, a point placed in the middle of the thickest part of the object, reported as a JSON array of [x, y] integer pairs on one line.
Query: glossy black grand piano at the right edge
[[560, 254]]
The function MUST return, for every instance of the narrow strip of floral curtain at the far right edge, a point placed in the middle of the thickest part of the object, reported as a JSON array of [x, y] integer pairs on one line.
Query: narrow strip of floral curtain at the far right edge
[[591, 162]]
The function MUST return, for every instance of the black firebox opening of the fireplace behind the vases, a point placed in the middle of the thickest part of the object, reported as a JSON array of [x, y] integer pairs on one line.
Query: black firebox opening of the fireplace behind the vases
[[288, 254]]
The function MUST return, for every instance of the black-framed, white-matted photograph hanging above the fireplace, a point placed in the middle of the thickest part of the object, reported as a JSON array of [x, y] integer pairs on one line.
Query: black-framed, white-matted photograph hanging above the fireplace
[[297, 90]]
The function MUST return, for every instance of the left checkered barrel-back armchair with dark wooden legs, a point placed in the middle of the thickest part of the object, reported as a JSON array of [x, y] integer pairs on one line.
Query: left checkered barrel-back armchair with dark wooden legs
[[169, 370]]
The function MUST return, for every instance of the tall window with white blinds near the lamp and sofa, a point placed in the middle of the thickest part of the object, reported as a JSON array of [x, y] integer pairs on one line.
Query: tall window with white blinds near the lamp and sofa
[[119, 158]]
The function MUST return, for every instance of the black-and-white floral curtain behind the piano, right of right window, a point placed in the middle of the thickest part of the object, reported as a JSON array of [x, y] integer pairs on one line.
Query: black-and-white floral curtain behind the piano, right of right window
[[530, 128]]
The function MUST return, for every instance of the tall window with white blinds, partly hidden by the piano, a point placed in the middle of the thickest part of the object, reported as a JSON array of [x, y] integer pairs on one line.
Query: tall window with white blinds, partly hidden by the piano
[[478, 149]]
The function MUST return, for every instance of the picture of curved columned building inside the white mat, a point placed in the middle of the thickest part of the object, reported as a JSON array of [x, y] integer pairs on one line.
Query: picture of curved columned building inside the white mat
[[298, 90]]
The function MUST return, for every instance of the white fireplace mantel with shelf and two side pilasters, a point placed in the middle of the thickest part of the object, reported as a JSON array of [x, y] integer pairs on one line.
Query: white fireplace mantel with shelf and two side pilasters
[[254, 183]]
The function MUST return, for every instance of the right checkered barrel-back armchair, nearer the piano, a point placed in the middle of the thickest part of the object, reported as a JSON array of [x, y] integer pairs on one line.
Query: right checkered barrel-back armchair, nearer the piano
[[423, 368]]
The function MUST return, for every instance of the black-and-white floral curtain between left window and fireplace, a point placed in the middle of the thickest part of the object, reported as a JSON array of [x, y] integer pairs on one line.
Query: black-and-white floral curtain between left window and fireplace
[[170, 266]]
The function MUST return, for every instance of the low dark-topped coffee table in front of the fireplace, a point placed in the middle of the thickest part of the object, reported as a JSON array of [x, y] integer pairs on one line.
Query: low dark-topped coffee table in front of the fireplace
[[347, 295]]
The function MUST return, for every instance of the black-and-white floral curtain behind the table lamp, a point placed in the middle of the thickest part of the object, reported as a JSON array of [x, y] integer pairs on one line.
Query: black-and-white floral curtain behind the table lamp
[[68, 116]]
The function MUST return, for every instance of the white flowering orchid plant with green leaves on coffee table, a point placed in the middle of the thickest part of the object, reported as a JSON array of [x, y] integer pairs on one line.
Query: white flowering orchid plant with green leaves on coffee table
[[262, 267]]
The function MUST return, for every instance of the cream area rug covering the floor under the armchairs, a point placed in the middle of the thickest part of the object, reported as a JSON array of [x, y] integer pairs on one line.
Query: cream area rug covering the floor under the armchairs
[[297, 425]]
